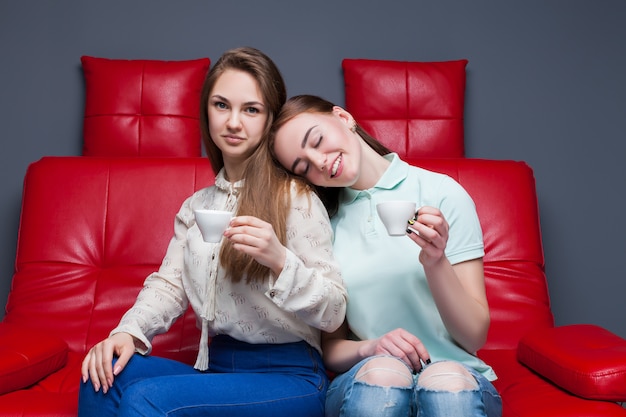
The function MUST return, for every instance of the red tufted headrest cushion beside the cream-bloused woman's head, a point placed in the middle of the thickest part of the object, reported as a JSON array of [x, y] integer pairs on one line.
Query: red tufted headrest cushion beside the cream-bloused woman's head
[[142, 107]]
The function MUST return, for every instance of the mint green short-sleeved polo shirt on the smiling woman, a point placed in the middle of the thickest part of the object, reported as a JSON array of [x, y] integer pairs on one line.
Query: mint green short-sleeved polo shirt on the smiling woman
[[386, 283]]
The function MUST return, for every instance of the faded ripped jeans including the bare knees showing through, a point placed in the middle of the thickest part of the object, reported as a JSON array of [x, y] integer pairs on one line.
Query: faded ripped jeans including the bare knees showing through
[[348, 396]]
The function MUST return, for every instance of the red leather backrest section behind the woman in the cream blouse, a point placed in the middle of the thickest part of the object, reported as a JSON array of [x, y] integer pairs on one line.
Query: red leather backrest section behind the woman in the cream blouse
[[91, 230]]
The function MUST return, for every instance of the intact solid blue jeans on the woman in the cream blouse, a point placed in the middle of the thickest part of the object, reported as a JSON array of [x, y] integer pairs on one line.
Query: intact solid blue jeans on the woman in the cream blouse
[[243, 380]]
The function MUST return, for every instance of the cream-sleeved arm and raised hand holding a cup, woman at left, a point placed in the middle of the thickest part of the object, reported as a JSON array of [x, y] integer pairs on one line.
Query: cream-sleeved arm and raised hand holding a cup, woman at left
[[306, 278]]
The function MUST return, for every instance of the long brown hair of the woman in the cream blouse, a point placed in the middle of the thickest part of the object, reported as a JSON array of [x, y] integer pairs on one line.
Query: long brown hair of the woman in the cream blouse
[[266, 189]]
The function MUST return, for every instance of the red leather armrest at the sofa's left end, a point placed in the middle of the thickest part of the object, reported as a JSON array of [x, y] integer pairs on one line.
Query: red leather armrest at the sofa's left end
[[27, 356]]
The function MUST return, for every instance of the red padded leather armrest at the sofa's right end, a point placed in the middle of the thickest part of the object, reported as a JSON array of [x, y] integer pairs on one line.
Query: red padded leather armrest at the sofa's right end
[[584, 359]]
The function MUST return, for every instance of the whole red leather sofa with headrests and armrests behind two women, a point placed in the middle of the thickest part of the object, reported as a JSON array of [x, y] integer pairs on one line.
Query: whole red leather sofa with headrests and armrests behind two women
[[92, 227]]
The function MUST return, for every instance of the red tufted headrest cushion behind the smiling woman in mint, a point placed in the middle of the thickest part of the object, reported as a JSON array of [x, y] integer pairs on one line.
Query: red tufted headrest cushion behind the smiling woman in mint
[[415, 108]]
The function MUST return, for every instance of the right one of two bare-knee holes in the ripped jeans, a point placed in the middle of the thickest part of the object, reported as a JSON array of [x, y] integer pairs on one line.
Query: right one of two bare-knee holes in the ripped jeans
[[447, 376]]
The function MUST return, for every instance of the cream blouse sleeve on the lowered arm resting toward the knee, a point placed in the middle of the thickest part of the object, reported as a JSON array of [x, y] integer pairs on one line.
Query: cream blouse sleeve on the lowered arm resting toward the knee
[[162, 298]]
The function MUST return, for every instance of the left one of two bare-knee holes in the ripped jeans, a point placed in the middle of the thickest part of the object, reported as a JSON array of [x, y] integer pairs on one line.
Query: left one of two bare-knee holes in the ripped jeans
[[386, 372]]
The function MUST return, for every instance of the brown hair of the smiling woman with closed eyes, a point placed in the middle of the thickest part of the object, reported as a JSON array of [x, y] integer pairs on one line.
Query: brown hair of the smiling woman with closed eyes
[[306, 103]]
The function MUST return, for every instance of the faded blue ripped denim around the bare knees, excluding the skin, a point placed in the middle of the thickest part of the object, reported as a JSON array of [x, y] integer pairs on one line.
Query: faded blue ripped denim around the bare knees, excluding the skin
[[349, 397]]
